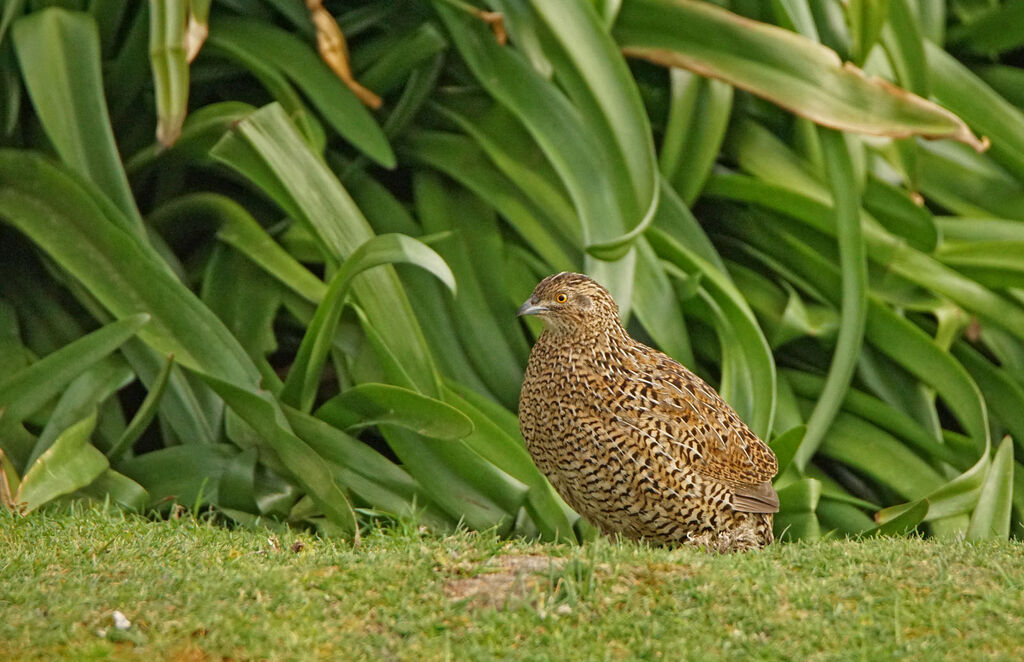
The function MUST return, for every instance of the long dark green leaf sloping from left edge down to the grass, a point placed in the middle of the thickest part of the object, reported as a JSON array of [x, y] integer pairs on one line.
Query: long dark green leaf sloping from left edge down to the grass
[[124, 274]]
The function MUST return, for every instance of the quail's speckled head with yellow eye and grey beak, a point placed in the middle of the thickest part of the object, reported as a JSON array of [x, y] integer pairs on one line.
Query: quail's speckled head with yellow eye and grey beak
[[568, 302]]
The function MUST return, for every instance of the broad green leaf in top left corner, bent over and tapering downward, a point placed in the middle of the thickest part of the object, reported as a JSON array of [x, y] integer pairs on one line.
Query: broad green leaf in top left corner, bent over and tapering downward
[[59, 52]]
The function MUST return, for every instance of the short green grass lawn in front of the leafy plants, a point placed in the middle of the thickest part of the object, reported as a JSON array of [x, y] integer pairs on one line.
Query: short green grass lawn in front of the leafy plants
[[194, 592]]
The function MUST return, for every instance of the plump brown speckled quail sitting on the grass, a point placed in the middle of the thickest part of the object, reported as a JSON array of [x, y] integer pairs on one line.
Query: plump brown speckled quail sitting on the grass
[[632, 440]]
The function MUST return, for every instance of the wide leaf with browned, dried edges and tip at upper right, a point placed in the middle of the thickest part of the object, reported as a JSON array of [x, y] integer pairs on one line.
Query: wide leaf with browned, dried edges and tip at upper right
[[789, 70]]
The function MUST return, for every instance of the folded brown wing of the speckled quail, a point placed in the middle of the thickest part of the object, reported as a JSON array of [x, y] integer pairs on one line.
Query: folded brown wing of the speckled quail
[[704, 431]]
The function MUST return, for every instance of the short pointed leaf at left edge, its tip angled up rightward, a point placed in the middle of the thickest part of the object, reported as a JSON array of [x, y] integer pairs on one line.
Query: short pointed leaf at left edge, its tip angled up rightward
[[30, 389]]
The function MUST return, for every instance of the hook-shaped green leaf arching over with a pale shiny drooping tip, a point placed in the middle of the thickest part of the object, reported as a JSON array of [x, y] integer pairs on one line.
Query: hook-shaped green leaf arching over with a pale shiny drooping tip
[[304, 379]]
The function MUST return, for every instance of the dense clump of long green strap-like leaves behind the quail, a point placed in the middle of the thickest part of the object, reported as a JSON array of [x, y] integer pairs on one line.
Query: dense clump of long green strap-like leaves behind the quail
[[267, 259]]
